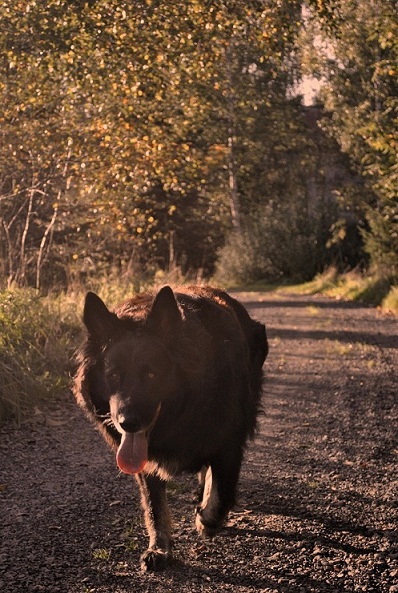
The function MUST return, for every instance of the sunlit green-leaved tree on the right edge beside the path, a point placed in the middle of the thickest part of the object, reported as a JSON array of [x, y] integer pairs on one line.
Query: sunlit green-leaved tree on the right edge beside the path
[[359, 66]]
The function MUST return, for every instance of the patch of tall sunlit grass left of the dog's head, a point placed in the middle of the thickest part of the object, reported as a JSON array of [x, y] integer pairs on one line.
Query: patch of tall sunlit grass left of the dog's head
[[37, 339]]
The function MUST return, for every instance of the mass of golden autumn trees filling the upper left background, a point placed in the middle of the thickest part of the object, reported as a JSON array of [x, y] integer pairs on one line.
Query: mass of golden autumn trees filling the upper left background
[[120, 122]]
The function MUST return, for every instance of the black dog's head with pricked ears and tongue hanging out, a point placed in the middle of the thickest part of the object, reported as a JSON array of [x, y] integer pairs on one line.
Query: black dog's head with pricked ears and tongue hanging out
[[137, 369]]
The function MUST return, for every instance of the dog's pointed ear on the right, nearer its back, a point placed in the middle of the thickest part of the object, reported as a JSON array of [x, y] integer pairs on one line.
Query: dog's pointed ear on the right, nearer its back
[[165, 316]]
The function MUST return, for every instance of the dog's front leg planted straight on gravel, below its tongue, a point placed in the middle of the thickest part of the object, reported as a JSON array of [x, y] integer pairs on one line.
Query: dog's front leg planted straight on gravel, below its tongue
[[157, 520]]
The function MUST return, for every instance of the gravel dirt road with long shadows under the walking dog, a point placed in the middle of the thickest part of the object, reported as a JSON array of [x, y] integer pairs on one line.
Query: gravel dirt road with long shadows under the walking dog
[[318, 493]]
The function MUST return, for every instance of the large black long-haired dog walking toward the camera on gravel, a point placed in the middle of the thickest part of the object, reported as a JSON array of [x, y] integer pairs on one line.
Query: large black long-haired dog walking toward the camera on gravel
[[183, 371]]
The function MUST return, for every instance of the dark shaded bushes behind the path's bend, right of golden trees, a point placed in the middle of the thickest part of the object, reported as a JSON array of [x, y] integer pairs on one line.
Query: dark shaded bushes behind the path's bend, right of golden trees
[[287, 212]]
